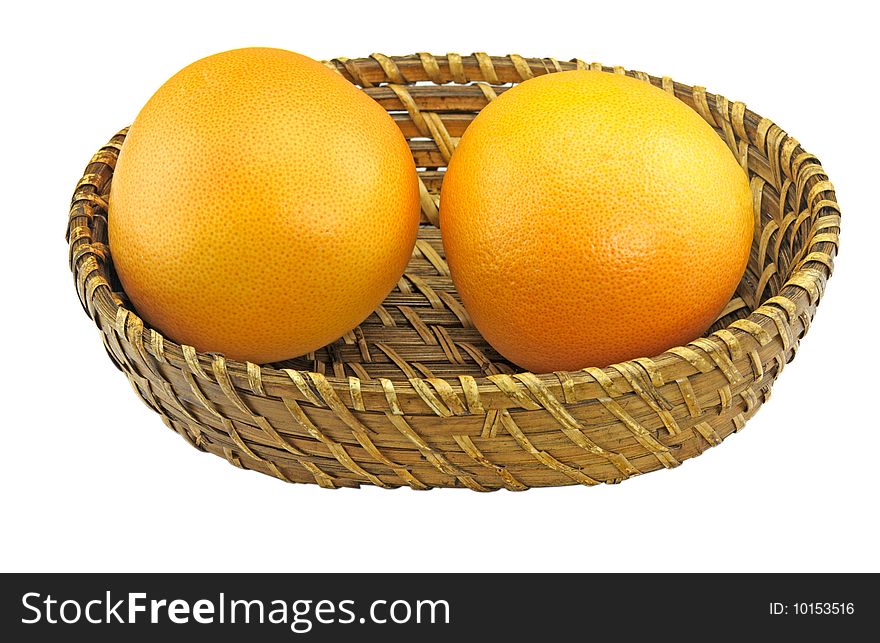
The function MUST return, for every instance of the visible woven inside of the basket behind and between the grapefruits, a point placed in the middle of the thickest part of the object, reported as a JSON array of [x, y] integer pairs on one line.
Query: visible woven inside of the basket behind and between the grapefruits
[[421, 329]]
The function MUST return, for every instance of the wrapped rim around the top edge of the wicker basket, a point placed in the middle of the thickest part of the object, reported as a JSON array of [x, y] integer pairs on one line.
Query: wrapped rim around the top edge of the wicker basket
[[804, 286]]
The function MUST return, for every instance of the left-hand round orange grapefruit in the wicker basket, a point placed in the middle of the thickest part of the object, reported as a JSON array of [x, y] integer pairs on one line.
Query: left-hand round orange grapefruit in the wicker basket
[[262, 206]]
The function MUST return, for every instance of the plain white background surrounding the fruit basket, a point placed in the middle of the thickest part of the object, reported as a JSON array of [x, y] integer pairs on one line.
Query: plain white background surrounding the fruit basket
[[93, 481]]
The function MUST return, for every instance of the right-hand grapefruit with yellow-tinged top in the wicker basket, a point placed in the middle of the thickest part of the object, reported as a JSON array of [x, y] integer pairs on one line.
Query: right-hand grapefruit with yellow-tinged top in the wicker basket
[[589, 218]]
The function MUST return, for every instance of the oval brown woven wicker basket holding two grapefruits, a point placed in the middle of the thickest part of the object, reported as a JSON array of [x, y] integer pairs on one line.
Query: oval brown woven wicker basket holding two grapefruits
[[415, 396]]
